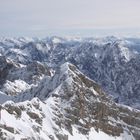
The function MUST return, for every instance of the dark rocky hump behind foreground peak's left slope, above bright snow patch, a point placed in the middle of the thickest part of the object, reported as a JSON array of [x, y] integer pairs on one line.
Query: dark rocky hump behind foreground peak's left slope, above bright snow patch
[[30, 73]]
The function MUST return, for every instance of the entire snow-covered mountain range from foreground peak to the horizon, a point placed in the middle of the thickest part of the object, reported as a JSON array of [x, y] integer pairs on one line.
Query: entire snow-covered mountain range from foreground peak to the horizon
[[70, 88]]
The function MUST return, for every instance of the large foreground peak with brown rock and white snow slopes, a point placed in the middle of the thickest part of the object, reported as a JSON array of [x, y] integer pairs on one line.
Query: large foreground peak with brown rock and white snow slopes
[[67, 106]]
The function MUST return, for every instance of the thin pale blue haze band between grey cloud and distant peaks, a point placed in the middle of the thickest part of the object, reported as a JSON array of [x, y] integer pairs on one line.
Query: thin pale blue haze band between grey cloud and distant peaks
[[83, 32]]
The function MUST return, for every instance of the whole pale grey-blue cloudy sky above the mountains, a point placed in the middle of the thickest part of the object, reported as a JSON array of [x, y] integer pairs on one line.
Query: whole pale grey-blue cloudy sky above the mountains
[[69, 17]]
